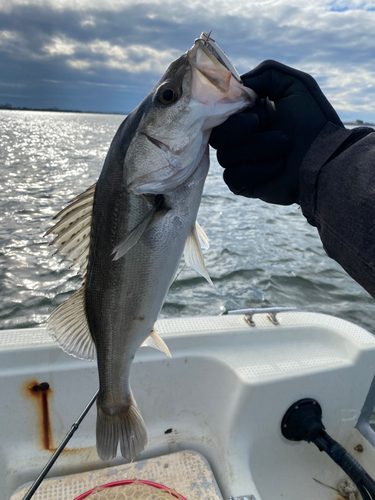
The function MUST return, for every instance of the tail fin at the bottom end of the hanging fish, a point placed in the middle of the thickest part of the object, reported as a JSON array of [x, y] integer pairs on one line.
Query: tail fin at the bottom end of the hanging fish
[[124, 425]]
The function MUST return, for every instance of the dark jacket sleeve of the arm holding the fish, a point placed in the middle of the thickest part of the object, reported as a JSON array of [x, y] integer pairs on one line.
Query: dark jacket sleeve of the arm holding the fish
[[337, 195]]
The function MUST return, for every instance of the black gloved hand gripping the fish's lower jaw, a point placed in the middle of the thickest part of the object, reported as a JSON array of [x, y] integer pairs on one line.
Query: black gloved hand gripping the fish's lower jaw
[[262, 148]]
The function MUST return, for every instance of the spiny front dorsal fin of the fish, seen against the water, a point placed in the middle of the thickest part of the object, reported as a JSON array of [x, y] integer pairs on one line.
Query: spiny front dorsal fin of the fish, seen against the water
[[73, 229]]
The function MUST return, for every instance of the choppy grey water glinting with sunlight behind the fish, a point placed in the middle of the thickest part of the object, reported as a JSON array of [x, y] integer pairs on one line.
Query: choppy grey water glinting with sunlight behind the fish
[[260, 255]]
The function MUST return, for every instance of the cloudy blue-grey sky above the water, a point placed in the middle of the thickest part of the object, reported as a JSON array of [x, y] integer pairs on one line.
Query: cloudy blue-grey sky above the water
[[106, 55]]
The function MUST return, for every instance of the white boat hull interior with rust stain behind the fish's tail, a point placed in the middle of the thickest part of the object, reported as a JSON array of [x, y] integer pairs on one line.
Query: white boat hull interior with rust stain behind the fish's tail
[[223, 395]]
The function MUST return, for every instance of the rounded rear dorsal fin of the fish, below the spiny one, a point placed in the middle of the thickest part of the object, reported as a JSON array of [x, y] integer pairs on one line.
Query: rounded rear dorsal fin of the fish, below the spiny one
[[68, 326]]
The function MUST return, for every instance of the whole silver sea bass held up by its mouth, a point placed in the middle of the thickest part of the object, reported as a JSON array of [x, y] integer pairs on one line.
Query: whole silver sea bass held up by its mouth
[[128, 231]]
